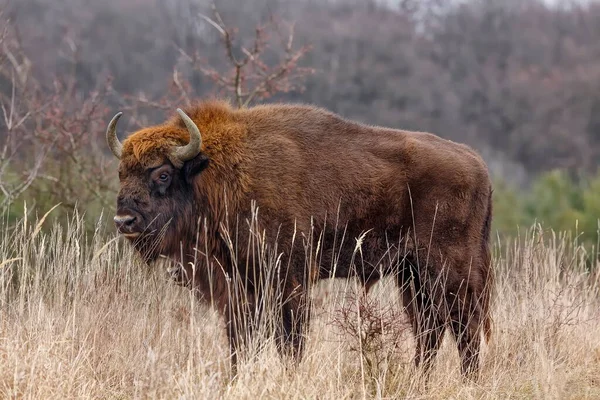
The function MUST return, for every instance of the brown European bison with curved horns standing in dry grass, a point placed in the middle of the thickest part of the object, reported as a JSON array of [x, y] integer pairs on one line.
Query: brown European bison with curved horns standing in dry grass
[[421, 206]]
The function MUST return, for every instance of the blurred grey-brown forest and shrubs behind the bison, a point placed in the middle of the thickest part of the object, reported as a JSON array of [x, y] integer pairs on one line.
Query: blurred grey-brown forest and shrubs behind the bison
[[519, 80]]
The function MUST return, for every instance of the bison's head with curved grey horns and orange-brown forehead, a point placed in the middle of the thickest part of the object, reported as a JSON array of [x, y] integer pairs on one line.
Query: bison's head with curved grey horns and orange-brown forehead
[[156, 170]]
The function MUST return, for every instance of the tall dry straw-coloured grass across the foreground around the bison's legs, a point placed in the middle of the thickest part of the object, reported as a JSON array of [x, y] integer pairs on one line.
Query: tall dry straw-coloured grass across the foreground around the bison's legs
[[84, 319]]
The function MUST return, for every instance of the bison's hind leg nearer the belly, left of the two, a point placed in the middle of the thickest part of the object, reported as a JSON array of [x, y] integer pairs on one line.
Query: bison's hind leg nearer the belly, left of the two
[[419, 304]]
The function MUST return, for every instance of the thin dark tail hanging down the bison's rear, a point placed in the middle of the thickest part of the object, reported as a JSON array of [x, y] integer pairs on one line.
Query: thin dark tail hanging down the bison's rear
[[489, 280]]
